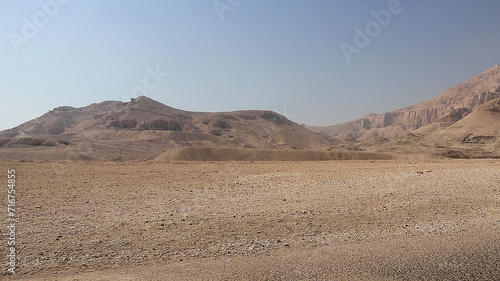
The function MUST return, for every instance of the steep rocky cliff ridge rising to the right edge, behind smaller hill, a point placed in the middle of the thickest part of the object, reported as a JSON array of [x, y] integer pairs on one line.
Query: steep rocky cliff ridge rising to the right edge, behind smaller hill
[[451, 106]]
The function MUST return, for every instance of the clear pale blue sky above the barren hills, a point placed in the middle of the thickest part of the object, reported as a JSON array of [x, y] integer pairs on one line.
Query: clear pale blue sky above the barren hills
[[265, 54]]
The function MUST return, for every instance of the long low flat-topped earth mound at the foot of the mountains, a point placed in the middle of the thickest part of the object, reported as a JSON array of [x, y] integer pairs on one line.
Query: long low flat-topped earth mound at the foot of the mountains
[[235, 154]]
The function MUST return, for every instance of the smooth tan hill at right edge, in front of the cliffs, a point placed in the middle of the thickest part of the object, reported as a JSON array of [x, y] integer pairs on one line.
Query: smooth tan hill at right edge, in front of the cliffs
[[475, 136]]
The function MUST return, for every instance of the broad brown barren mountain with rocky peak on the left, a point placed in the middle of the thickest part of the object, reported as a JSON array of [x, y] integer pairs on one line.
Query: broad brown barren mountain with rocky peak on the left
[[144, 128]]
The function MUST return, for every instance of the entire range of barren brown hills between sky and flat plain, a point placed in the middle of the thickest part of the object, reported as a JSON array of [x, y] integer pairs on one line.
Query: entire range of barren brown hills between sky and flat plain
[[462, 122]]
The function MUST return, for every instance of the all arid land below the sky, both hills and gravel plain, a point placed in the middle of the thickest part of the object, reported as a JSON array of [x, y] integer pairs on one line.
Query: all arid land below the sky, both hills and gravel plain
[[142, 191]]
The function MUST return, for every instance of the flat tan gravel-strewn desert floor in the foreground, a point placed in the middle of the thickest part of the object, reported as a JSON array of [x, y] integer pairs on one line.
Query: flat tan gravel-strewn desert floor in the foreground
[[406, 219]]
